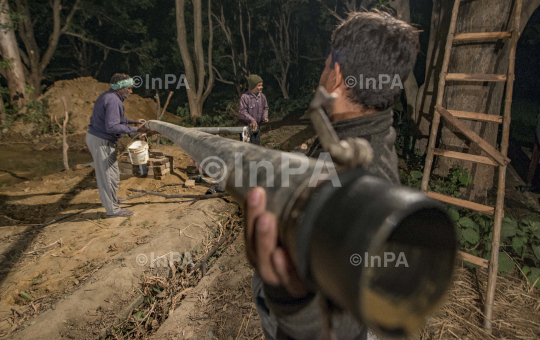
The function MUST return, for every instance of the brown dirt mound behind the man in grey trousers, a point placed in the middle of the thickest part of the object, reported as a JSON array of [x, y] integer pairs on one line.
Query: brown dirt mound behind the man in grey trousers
[[81, 94]]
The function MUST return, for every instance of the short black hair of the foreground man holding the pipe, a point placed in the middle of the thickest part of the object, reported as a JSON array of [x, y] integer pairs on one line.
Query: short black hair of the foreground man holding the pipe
[[370, 44]]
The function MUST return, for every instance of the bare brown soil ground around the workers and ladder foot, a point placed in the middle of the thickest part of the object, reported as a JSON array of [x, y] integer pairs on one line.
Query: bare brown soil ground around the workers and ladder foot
[[85, 281]]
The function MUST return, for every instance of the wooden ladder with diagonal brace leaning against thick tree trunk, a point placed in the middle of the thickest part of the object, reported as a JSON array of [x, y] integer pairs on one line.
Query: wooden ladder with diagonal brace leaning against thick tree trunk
[[497, 158]]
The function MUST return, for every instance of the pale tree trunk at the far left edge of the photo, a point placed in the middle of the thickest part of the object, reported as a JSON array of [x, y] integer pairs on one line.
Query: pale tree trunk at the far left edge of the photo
[[10, 51]]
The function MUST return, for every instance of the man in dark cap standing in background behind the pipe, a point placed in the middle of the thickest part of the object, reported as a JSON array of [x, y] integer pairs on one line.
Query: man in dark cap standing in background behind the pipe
[[254, 108]]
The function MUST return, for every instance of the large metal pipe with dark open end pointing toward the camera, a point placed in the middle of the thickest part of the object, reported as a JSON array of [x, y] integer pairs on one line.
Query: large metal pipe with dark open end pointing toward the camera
[[329, 227]]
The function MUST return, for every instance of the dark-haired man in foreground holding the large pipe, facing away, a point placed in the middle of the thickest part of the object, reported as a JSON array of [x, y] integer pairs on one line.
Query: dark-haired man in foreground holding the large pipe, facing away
[[366, 45]]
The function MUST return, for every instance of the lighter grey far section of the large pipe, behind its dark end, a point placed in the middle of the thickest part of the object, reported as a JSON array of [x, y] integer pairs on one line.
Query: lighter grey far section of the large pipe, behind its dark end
[[235, 159]]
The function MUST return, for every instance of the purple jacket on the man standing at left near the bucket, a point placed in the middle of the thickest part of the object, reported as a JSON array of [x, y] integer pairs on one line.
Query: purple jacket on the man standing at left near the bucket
[[108, 119]]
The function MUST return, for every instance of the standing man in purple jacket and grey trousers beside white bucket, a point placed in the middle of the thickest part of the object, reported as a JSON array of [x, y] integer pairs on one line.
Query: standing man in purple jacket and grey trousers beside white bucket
[[107, 125]]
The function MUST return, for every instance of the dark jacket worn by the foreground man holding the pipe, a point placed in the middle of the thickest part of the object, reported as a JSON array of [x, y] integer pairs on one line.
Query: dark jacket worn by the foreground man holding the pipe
[[286, 317]]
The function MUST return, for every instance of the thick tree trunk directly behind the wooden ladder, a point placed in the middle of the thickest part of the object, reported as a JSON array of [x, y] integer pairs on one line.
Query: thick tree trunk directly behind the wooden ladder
[[473, 58]]
